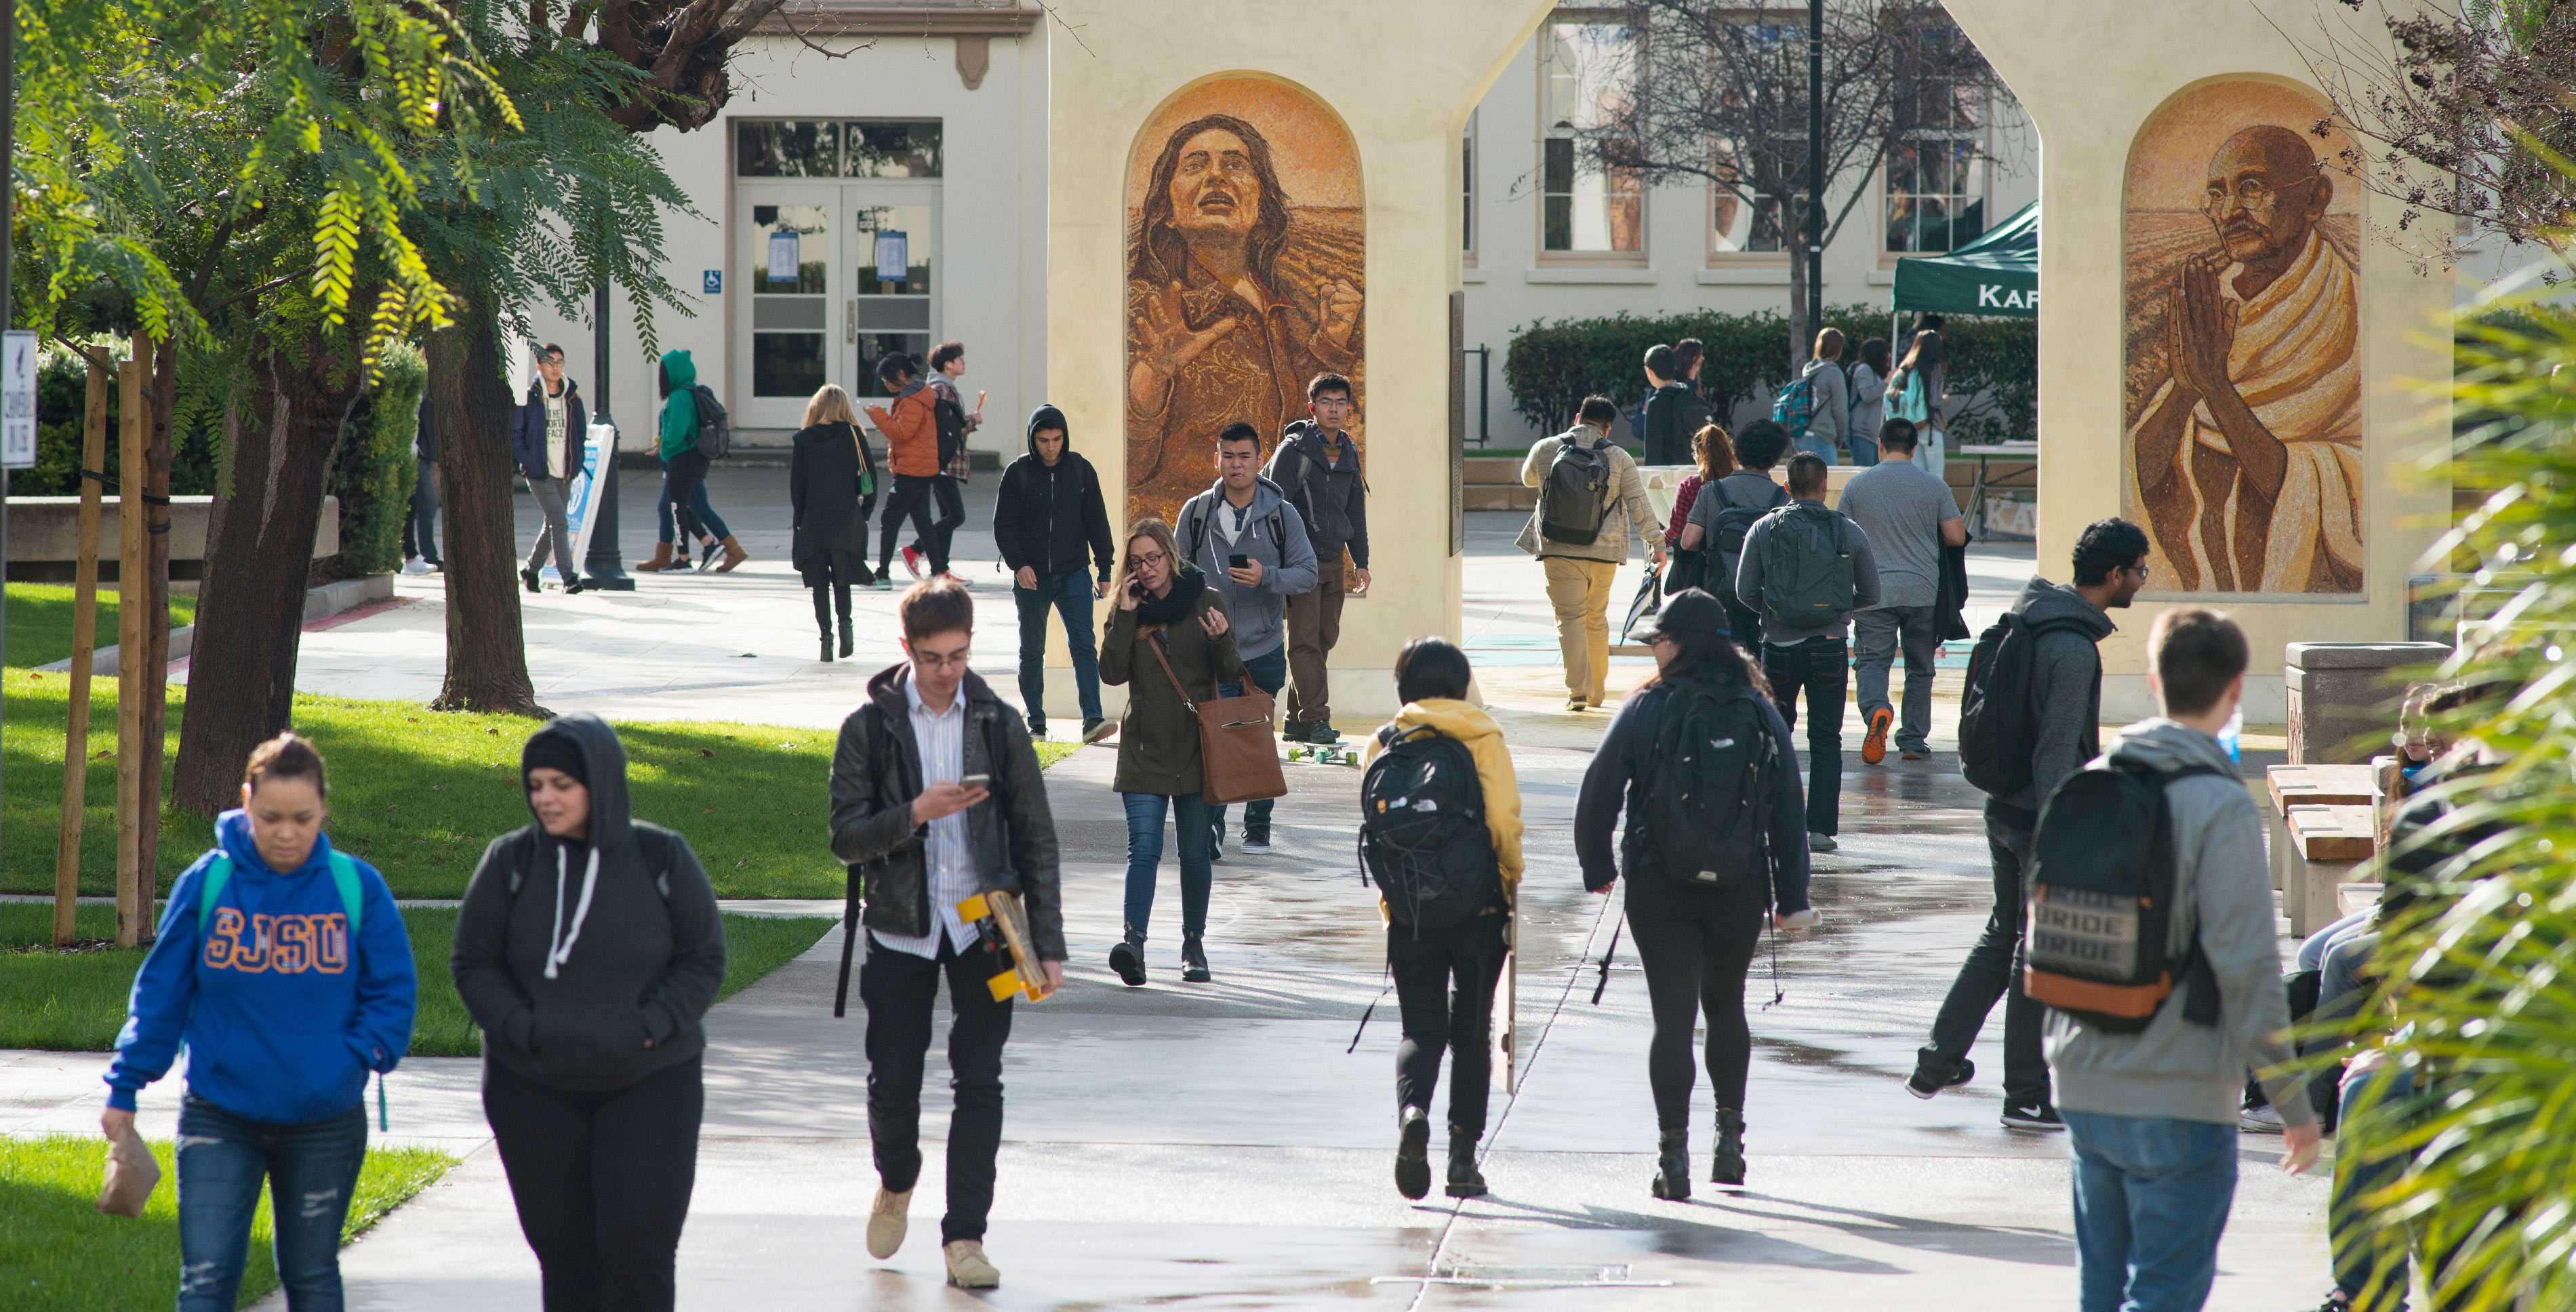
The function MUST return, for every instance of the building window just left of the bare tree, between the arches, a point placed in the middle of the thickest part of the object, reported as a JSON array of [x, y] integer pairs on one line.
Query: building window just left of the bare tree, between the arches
[[1586, 84]]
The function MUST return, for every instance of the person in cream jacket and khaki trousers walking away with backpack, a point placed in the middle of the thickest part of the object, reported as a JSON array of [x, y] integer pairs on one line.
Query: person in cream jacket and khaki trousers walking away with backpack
[[1591, 499]]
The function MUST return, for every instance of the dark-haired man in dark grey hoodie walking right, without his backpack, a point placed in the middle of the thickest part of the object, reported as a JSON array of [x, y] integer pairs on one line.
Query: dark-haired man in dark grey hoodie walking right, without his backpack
[[2067, 713]]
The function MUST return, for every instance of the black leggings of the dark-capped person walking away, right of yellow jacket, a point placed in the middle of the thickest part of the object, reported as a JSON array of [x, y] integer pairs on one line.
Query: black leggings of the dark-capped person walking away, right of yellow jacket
[[1696, 950]]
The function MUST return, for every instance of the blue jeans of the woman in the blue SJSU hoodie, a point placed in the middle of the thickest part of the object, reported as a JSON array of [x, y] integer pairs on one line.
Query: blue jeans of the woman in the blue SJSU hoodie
[[223, 1161]]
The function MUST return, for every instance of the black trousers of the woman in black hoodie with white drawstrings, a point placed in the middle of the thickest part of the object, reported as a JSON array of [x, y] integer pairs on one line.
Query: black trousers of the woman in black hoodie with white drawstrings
[[601, 1182]]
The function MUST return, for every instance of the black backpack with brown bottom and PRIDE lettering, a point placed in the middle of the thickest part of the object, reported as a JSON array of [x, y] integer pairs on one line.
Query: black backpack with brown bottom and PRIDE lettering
[[2101, 903]]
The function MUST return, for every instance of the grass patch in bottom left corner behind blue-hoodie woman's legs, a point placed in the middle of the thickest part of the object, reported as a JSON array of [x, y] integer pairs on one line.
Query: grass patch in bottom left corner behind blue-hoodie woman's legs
[[63, 1257]]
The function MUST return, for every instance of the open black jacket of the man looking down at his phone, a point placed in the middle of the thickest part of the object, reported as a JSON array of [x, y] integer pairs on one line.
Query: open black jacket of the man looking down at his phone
[[877, 772]]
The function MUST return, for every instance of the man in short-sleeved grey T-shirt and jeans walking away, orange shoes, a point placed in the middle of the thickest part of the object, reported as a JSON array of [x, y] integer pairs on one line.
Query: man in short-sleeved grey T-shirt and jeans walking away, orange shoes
[[1910, 517]]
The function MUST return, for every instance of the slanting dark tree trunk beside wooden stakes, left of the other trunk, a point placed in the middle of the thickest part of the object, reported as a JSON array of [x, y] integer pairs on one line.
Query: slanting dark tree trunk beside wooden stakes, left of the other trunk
[[251, 604]]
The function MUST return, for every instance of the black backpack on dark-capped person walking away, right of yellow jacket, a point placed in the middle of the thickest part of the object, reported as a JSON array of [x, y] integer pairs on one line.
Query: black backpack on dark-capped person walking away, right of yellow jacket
[[1714, 785]]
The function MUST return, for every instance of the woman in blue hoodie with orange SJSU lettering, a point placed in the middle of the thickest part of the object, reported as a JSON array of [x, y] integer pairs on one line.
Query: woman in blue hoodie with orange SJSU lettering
[[285, 970]]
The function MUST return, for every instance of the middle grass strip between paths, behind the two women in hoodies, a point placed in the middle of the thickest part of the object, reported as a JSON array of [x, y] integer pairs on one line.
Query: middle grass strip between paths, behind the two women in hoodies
[[79, 1001]]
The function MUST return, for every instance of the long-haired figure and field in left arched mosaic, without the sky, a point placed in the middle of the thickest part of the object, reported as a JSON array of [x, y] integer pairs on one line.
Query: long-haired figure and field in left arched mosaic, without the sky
[[1235, 303]]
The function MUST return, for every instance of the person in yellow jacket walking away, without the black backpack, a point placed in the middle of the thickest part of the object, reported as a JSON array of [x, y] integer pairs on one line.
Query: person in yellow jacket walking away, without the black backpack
[[1431, 682]]
